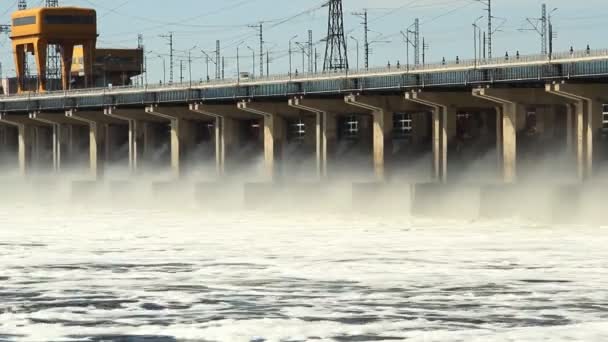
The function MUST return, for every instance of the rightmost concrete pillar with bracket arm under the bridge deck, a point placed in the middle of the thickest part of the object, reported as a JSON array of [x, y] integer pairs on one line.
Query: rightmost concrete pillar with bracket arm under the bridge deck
[[586, 102]]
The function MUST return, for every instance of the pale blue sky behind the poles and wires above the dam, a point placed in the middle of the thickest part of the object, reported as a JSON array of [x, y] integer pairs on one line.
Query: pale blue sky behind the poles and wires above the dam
[[446, 26]]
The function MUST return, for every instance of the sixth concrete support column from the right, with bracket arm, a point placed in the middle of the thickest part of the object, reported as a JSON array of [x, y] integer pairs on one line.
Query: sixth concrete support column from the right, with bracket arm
[[274, 138]]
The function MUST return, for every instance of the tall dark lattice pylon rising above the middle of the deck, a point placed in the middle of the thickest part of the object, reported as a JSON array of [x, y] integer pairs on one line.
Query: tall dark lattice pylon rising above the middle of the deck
[[336, 55]]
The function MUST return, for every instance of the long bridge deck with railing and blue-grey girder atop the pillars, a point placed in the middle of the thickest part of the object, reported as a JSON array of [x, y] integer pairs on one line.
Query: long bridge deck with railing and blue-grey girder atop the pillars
[[530, 70]]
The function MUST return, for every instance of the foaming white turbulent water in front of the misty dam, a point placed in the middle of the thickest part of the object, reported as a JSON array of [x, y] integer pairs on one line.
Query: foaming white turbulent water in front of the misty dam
[[72, 273]]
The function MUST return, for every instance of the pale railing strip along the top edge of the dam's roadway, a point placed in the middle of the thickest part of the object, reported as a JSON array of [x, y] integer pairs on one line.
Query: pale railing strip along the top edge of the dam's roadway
[[466, 64]]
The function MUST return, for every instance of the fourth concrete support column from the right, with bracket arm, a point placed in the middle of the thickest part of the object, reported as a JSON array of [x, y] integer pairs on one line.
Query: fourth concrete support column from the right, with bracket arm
[[382, 133]]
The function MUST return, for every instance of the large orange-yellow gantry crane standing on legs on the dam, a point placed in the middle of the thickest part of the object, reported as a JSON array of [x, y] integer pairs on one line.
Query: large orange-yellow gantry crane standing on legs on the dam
[[34, 29]]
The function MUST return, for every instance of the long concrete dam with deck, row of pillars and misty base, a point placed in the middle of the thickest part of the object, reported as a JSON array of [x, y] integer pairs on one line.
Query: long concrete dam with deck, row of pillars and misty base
[[532, 124]]
